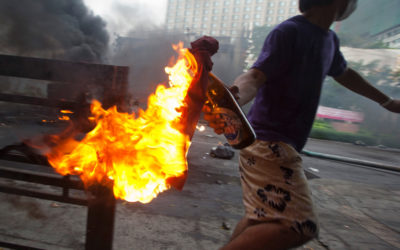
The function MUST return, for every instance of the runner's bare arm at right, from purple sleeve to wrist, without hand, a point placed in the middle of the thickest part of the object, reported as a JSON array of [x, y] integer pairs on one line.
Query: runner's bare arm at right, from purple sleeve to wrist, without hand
[[356, 83]]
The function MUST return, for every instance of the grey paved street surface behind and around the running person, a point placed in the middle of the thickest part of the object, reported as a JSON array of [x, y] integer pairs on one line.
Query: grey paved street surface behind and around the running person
[[358, 206]]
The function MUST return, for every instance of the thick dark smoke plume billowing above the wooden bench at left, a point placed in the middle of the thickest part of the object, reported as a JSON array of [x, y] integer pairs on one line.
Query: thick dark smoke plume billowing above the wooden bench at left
[[63, 29]]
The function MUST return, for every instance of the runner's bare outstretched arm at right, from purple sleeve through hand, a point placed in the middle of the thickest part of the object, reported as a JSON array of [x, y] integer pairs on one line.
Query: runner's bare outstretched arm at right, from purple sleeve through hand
[[356, 83]]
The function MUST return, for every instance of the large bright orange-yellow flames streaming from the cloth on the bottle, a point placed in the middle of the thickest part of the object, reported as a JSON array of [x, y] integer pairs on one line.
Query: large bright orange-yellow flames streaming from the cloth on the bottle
[[140, 154]]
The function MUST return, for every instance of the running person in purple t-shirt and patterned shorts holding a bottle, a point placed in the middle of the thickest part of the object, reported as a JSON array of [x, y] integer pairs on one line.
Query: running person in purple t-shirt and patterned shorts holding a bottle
[[286, 81]]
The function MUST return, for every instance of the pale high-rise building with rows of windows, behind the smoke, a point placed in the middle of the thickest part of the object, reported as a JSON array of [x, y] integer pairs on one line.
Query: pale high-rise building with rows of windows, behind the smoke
[[229, 18]]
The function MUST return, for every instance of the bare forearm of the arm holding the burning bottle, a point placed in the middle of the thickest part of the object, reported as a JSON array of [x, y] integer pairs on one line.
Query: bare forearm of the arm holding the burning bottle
[[248, 84]]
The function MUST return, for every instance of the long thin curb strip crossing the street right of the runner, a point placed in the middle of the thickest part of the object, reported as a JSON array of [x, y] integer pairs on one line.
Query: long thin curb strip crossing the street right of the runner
[[351, 160]]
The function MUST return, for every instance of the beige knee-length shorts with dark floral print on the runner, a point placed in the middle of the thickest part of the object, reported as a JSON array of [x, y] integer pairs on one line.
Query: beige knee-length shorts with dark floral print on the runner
[[275, 187]]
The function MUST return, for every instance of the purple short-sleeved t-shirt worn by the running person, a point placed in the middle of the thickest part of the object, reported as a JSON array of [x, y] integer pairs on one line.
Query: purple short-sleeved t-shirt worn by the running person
[[296, 57]]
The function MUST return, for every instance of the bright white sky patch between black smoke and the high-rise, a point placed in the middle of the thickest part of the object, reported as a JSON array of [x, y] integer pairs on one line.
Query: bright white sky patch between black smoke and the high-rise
[[123, 16]]
